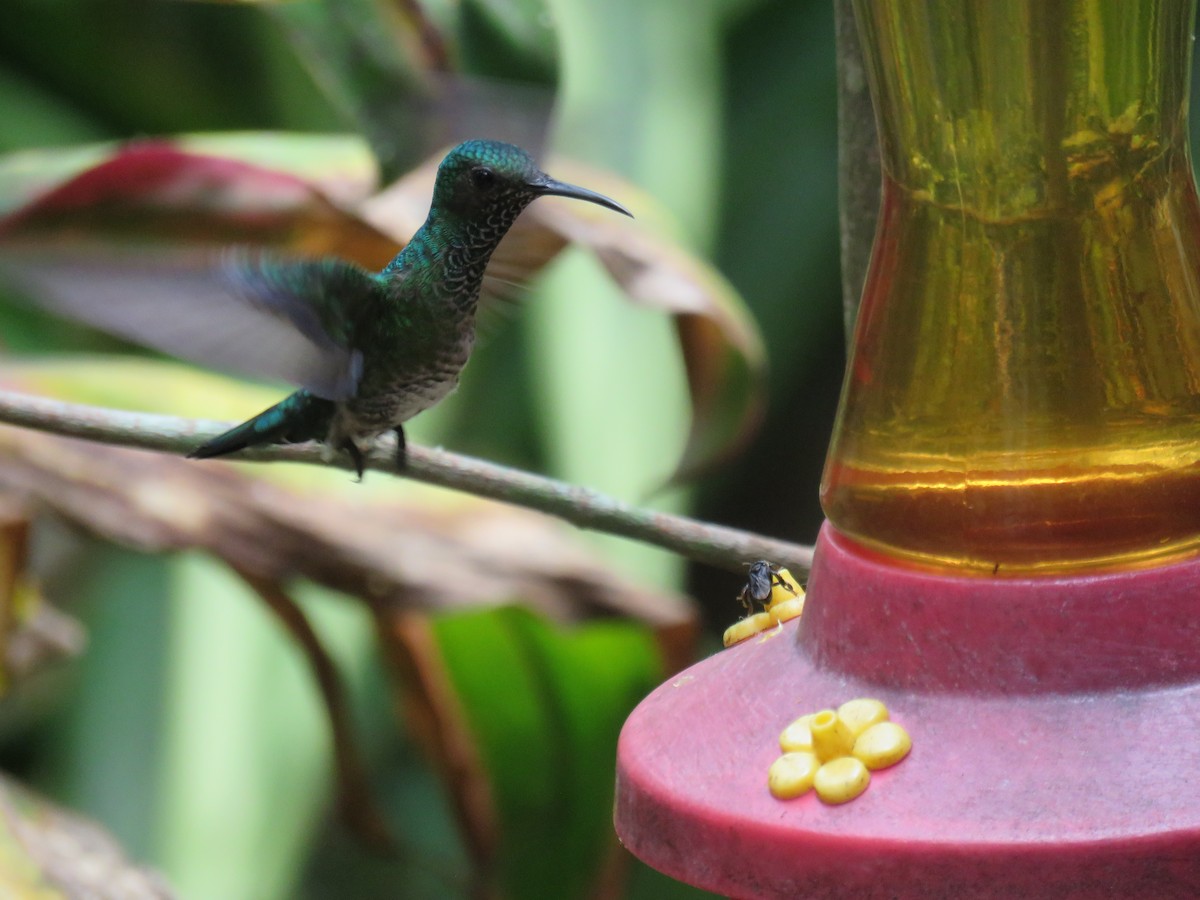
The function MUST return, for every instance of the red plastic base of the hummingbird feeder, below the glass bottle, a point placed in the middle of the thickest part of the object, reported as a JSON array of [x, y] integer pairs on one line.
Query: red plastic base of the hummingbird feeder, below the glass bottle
[[1055, 727]]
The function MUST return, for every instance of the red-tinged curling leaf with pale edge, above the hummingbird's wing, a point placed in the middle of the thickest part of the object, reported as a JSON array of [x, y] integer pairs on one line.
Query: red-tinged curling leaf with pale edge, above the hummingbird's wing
[[185, 191]]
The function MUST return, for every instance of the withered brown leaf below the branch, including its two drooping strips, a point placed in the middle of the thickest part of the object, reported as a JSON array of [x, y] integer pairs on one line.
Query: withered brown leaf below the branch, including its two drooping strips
[[398, 557]]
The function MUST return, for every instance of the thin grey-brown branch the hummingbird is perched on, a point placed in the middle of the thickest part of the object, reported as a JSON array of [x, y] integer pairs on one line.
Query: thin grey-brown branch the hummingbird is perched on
[[716, 545]]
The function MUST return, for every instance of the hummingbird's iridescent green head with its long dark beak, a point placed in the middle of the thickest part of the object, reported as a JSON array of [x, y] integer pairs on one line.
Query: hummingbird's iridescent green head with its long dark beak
[[485, 179]]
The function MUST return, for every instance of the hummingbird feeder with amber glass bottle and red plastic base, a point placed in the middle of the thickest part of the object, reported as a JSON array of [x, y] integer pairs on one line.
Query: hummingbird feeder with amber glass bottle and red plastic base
[[1012, 555]]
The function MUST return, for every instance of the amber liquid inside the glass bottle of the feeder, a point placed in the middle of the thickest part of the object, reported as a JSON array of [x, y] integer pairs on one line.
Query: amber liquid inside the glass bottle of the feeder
[[1024, 393]]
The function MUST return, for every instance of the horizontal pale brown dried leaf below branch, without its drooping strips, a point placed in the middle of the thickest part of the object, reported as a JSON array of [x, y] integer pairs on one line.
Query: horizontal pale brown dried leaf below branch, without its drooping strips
[[400, 556]]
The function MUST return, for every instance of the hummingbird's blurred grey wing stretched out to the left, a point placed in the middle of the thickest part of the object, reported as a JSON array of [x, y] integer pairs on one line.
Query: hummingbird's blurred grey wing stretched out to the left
[[254, 314]]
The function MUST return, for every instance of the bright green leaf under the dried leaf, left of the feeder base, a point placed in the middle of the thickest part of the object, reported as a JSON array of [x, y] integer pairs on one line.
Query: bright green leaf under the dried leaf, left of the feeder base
[[541, 709]]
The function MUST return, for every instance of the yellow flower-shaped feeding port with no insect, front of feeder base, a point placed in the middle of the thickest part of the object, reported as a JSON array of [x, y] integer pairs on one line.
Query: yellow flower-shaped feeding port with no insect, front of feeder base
[[836, 752]]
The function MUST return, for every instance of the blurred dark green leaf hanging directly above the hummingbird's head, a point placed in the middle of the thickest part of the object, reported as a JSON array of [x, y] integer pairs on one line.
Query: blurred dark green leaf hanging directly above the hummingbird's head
[[407, 83]]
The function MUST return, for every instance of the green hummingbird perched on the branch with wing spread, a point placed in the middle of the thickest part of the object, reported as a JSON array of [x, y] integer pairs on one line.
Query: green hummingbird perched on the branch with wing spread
[[369, 350]]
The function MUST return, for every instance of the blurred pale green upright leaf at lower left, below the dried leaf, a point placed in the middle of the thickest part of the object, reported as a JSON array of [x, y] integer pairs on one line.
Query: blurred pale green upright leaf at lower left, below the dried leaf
[[247, 755]]
